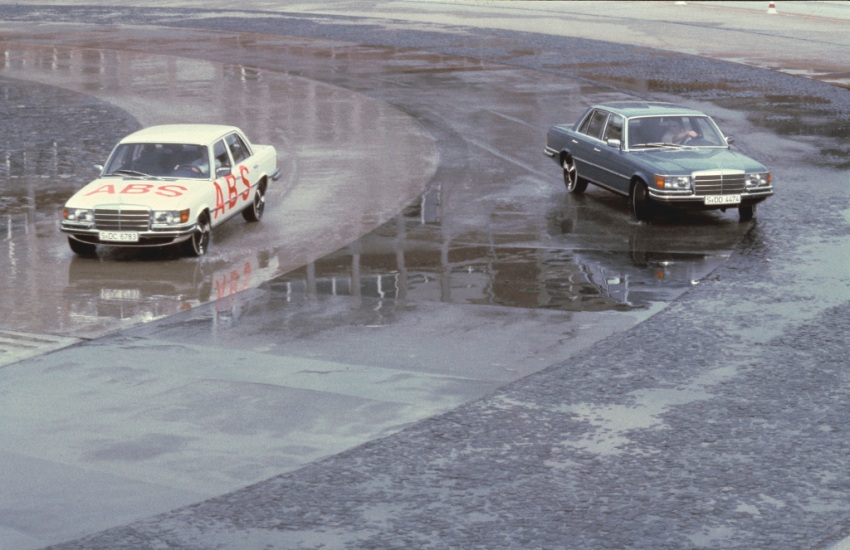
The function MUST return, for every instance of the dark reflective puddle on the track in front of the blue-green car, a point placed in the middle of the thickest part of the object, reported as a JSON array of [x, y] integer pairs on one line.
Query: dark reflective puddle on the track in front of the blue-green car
[[573, 271]]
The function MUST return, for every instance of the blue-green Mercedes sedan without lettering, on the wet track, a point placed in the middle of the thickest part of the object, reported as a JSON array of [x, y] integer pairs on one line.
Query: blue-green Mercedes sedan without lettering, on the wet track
[[657, 153]]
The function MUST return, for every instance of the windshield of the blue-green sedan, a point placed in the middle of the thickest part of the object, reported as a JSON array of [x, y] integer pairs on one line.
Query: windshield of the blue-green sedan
[[673, 131]]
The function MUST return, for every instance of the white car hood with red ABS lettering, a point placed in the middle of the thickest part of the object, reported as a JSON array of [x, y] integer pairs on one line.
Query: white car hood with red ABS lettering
[[151, 193]]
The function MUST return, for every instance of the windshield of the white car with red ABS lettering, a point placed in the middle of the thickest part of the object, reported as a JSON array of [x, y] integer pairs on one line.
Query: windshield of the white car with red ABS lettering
[[167, 160]]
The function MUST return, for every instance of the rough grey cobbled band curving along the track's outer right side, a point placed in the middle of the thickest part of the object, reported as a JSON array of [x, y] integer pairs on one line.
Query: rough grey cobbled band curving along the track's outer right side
[[719, 422]]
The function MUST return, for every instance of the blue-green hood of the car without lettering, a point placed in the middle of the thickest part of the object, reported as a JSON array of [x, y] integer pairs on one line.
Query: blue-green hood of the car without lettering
[[687, 160]]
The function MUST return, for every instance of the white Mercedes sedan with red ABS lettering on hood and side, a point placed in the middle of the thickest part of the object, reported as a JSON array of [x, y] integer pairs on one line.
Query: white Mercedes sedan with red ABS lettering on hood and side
[[168, 185]]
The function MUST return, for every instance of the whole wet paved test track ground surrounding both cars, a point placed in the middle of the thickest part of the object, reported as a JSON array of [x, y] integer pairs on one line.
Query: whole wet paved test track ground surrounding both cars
[[421, 261]]
